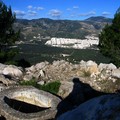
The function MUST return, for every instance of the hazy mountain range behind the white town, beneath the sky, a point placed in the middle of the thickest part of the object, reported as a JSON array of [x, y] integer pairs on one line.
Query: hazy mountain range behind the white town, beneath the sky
[[60, 28]]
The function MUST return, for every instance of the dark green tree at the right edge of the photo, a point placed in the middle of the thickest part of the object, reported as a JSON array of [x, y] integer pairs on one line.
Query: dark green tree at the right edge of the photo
[[109, 39]]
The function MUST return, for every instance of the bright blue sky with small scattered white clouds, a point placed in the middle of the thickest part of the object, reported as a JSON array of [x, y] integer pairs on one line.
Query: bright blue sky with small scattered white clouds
[[63, 9]]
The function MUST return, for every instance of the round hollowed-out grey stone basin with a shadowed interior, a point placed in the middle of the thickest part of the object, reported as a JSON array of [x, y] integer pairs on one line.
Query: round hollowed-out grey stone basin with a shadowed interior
[[28, 95]]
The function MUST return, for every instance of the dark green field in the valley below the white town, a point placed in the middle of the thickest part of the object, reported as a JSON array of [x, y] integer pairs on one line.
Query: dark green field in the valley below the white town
[[39, 52]]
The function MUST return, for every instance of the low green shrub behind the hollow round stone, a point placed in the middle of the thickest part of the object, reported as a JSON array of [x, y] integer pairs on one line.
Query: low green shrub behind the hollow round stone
[[52, 87]]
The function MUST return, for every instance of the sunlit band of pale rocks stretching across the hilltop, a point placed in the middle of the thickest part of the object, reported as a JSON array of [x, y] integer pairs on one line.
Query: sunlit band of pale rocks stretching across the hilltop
[[102, 77]]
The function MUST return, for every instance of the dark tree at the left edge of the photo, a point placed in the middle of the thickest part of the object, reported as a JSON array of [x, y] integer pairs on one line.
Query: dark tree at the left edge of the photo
[[7, 34]]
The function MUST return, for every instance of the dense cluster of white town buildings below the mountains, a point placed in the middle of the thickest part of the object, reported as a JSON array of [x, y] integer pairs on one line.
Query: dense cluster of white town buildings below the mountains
[[74, 43]]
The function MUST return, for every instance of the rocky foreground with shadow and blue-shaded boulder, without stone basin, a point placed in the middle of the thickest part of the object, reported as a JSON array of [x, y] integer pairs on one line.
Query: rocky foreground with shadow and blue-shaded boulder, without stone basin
[[80, 83]]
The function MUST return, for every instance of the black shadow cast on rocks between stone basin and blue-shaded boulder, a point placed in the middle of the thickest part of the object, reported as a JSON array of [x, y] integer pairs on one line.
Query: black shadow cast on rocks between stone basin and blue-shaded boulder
[[81, 93]]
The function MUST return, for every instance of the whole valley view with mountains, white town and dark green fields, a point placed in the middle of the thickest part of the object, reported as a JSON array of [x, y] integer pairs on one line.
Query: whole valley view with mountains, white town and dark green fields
[[48, 40]]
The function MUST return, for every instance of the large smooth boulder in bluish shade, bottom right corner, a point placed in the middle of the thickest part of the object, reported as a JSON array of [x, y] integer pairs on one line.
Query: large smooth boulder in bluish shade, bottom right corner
[[106, 107]]
